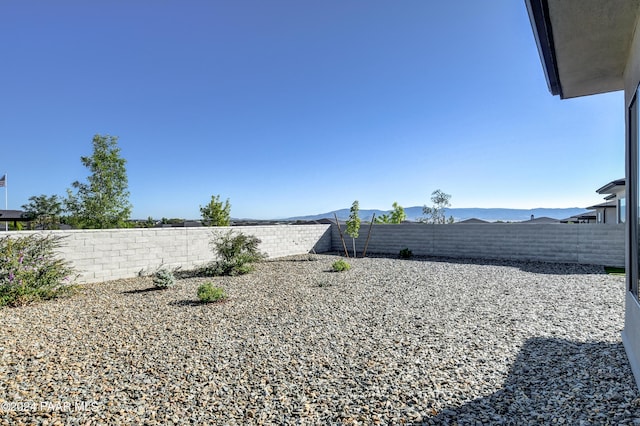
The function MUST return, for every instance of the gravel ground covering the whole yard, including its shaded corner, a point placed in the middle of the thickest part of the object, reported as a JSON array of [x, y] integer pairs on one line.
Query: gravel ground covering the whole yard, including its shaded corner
[[389, 342]]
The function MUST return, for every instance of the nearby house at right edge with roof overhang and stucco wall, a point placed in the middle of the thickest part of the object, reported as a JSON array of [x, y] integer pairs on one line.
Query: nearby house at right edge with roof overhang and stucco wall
[[589, 47]]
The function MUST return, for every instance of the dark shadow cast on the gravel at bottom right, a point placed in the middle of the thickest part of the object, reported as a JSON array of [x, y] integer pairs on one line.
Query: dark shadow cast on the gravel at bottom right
[[581, 383]]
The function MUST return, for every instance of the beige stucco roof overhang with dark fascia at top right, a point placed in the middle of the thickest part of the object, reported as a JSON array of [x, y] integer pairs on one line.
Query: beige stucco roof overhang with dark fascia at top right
[[583, 44]]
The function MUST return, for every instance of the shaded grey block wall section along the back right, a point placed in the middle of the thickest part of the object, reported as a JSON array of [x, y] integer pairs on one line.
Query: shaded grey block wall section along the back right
[[584, 243]]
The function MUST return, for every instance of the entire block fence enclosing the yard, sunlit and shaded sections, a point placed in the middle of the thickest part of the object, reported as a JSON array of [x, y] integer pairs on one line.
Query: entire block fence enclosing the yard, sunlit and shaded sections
[[101, 255]]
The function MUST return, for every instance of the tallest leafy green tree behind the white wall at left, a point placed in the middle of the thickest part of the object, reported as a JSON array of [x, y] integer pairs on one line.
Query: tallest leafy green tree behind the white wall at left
[[103, 201]]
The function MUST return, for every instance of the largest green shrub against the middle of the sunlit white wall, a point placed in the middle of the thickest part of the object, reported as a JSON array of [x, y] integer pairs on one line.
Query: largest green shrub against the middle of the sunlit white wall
[[237, 252]]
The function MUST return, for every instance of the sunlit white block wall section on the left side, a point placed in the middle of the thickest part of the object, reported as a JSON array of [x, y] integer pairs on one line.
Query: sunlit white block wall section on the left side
[[102, 255]]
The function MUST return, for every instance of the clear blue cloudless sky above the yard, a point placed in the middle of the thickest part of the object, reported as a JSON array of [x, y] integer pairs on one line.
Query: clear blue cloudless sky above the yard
[[297, 107]]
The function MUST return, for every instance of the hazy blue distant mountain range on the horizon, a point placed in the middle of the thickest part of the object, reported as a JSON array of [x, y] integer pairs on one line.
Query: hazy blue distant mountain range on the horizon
[[491, 215]]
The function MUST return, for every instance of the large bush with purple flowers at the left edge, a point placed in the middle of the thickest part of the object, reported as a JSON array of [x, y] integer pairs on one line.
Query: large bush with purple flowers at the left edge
[[31, 271]]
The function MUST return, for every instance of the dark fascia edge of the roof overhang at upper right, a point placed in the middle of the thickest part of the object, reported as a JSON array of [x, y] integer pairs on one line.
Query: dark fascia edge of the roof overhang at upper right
[[543, 33]]
